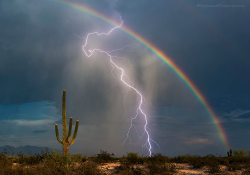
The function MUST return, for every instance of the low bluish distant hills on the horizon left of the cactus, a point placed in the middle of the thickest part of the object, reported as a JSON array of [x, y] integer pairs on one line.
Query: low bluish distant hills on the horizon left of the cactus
[[26, 149]]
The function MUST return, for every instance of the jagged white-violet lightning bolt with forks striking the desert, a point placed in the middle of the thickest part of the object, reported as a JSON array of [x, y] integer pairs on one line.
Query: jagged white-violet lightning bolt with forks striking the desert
[[127, 83]]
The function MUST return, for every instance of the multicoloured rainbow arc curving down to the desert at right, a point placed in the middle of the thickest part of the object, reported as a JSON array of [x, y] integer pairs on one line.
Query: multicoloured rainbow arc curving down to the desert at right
[[164, 58]]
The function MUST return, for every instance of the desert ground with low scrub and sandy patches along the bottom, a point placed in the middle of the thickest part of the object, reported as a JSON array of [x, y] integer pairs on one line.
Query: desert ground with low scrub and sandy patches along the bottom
[[132, 163]]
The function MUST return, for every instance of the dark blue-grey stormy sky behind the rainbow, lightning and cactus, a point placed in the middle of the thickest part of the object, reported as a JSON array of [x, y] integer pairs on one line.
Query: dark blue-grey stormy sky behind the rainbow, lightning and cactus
[[41, 55]]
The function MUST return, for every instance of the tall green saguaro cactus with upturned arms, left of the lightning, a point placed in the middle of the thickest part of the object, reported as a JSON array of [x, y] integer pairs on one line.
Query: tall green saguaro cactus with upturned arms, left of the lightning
[[66, 139]]
